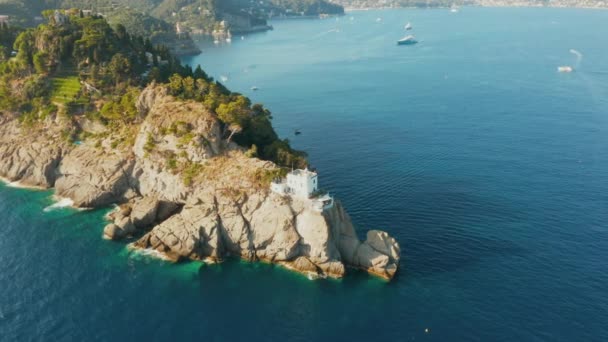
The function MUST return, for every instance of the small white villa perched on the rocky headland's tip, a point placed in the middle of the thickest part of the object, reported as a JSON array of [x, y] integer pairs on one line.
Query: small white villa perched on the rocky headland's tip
[[304, 185]]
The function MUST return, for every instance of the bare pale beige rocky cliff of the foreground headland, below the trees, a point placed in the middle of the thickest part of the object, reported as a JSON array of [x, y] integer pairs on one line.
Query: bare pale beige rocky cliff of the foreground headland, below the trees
[[189, 194]]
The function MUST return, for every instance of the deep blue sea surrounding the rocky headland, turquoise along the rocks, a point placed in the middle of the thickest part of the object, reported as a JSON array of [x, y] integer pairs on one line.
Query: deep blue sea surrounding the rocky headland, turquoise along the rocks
[[489, 167]]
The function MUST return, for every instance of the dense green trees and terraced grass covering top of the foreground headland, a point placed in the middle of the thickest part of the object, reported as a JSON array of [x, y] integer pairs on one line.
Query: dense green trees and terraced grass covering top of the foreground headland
[[79, 66]]
